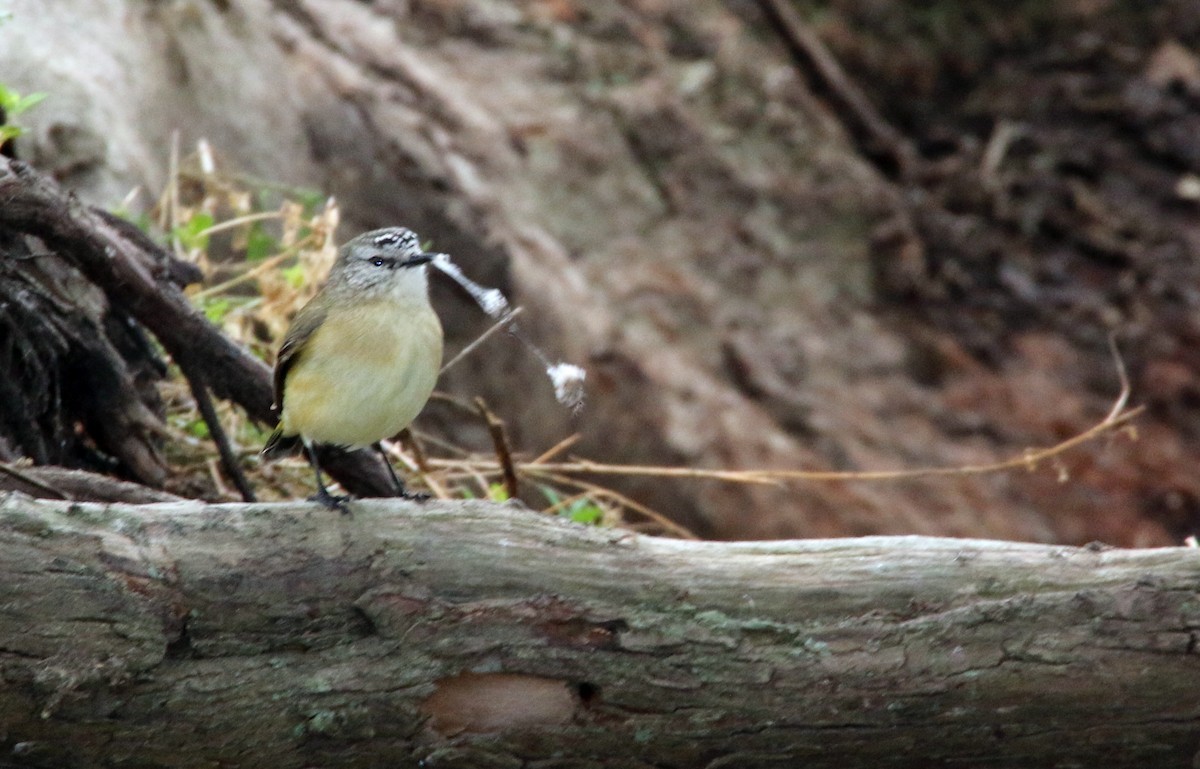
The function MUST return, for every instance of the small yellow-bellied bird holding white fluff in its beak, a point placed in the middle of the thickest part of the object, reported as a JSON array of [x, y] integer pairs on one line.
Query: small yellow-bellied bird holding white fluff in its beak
[[361, 359]]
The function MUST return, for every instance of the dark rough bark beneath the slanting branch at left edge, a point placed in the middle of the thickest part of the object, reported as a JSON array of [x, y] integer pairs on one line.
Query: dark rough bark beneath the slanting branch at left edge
[[79, 383]]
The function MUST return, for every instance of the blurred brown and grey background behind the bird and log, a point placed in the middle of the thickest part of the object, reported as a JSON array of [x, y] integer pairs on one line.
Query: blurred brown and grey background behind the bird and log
[[913, 260]]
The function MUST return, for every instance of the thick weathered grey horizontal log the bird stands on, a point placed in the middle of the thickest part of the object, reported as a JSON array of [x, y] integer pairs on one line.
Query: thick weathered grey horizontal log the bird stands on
[[475, 635]]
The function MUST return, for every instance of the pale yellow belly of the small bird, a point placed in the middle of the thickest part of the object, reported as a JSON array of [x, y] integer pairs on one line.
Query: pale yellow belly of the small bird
[[364, 375]]
